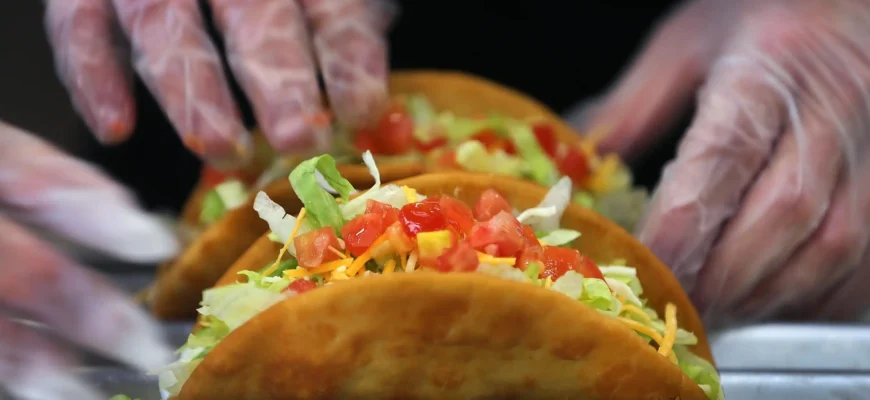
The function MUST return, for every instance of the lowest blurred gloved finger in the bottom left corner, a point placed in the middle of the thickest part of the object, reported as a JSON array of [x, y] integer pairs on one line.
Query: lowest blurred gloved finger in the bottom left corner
[[34, 368]]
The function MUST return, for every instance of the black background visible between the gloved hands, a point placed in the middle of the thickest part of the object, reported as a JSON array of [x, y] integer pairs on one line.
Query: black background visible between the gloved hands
[[558, 51]]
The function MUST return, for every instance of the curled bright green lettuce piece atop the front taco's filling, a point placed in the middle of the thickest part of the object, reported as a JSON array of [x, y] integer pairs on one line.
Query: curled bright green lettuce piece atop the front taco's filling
[[320, 206]]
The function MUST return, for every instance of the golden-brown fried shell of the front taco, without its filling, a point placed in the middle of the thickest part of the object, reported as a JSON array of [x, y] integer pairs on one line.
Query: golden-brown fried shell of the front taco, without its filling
[[427, 335]]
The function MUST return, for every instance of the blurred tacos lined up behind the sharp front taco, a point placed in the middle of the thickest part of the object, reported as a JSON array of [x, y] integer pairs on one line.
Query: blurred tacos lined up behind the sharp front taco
[[439, 121]]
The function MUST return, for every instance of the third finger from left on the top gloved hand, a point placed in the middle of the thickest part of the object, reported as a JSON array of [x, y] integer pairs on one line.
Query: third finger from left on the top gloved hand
[[268, 49]]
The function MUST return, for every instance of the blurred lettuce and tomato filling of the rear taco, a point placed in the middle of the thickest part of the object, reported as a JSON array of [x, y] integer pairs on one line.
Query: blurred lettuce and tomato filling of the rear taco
[[412, 129]]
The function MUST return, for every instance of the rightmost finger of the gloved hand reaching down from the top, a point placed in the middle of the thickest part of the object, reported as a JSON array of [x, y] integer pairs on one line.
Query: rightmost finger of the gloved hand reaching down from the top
[[352, 52]]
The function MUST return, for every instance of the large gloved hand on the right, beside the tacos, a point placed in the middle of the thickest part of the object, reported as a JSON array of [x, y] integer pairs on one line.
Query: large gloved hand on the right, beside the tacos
[[765, 212]]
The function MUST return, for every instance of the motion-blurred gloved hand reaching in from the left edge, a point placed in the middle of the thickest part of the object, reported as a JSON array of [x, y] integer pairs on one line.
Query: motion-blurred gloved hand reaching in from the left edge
[[43, 187]]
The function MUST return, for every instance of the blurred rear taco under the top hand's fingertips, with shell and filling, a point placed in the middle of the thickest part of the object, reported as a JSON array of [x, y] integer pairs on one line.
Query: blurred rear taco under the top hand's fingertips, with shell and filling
[[452, 120]]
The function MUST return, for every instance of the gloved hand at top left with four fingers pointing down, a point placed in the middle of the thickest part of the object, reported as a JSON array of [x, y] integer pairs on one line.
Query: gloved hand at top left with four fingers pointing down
[[269, 48]]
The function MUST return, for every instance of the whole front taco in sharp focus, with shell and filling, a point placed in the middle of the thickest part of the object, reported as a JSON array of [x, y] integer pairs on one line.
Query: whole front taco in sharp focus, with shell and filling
[[449, 285]]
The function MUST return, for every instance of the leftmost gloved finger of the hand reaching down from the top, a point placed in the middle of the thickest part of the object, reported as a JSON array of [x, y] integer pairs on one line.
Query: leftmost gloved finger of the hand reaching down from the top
[[80, 33]]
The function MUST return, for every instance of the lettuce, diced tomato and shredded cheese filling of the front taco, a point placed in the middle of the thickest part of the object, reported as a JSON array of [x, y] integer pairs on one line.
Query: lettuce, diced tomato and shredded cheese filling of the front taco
[[391, 230]]
